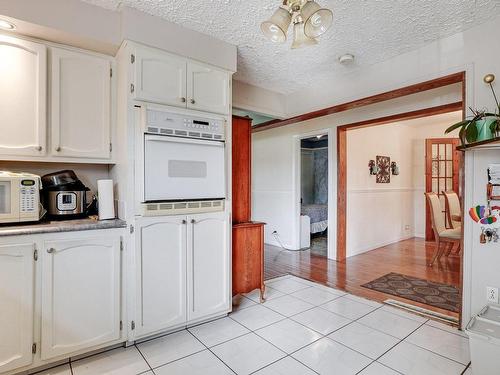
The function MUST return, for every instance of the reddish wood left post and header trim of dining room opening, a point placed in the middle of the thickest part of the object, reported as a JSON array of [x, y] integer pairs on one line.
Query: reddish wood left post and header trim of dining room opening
[[342, 161]]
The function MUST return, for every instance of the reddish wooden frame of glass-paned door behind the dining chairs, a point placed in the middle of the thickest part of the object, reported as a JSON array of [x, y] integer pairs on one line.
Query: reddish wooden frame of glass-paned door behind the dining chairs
[[429, 233]]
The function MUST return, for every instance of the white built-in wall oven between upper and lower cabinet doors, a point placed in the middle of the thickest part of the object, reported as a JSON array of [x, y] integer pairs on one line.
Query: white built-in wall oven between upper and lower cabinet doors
[[183, 161]]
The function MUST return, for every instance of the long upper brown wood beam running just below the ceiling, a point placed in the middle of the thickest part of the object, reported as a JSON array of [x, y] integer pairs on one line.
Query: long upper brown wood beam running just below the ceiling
[[393, 94]]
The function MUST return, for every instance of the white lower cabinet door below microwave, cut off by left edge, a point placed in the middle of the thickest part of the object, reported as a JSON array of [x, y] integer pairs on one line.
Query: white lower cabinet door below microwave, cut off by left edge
[[16, 305]]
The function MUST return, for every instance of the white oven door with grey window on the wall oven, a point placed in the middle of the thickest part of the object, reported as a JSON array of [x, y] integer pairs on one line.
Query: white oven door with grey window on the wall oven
[[183, 169]]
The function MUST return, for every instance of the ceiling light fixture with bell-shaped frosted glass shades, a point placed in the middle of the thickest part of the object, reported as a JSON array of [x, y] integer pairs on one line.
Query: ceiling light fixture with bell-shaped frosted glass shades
[[308, 18]]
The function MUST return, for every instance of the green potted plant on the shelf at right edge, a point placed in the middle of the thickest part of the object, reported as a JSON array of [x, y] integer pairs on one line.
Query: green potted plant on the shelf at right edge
[[482, 125]]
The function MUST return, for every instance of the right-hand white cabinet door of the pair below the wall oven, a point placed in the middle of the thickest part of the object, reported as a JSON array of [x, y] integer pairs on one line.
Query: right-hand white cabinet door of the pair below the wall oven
[[208, 265]]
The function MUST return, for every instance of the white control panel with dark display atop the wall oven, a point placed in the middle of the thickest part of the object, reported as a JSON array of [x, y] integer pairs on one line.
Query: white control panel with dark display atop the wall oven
[[175, 124]]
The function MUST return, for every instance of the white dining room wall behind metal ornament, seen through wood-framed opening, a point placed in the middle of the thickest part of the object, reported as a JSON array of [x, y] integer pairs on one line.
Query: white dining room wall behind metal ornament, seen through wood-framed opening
[[380, 214]]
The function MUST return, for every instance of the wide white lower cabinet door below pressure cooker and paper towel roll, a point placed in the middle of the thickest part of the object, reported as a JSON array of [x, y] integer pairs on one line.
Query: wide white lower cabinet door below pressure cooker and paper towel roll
[[80, 294]]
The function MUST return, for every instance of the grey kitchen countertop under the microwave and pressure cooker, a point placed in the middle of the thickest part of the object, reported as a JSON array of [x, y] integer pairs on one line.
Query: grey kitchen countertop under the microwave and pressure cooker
[[89, 223]]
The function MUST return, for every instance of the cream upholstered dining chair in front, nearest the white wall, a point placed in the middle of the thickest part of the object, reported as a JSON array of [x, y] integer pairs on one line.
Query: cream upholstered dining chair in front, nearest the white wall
[[442, 235]]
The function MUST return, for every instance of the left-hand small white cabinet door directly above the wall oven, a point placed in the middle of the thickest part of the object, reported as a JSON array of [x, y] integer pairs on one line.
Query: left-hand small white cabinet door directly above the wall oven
[[159, 77]]
